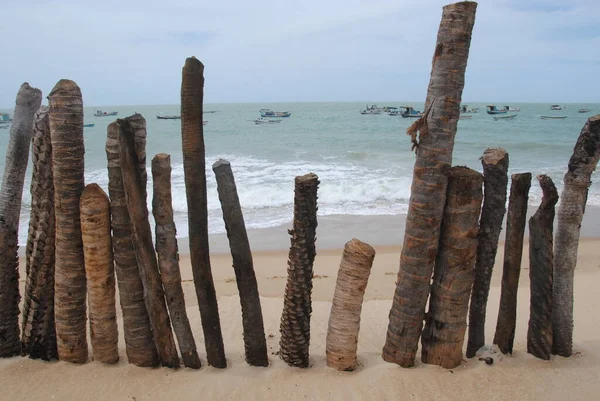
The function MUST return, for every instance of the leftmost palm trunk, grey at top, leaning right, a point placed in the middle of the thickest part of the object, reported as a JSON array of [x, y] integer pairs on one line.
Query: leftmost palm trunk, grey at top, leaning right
[[17, 156]]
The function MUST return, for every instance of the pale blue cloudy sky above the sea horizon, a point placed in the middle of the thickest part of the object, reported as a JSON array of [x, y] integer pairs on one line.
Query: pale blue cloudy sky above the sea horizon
[[130, 52]]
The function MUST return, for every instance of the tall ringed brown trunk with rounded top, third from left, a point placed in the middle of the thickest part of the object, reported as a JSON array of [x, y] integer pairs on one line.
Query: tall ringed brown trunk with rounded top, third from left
[[66, 131]]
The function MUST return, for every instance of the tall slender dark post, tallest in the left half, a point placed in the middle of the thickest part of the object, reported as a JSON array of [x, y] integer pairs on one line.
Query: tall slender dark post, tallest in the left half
[[194, 167]]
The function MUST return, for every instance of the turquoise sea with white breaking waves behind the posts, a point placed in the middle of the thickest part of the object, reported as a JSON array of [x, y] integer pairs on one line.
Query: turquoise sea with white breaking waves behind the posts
[[364, 161]]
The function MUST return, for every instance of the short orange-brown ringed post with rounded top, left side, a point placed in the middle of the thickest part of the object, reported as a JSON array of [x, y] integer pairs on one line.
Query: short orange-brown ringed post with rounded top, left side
[[100, 273]]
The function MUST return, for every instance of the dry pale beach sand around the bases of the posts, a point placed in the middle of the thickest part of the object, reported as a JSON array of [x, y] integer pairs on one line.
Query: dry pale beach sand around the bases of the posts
[[517, 377]]
